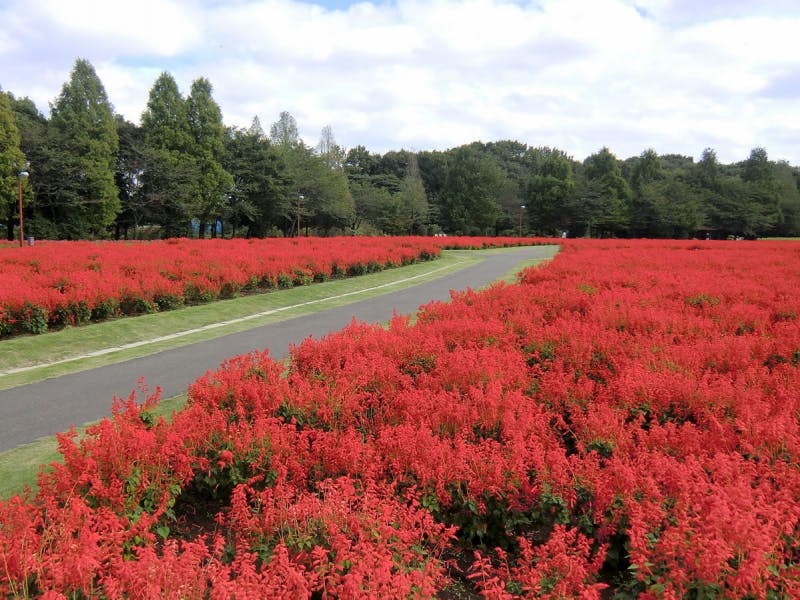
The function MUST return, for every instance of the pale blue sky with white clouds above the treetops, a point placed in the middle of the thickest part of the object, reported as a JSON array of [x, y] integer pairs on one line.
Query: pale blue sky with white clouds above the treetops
[[677, 76]]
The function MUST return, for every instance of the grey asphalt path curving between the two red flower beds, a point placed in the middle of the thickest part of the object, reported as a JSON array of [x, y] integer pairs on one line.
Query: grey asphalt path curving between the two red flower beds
[[32, 411]]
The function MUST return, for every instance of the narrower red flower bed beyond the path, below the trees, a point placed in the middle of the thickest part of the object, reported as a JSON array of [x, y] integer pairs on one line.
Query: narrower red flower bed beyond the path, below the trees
[[69, 283]]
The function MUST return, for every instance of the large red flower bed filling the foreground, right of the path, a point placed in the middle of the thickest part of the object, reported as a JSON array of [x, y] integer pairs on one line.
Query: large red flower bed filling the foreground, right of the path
[[621, 423]]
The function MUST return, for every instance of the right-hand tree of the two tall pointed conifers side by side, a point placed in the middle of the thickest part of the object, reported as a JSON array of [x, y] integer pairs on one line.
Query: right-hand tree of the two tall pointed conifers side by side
[[207, 148]]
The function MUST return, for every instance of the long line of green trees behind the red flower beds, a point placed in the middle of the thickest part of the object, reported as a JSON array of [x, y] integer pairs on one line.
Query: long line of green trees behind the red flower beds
[[182, 172]]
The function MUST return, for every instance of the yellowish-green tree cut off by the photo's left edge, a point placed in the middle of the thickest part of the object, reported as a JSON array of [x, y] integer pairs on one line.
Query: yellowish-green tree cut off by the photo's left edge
[[12, 161]]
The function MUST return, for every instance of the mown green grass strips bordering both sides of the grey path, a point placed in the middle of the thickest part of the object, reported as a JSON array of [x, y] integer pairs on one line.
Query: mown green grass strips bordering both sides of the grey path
[[36, 354]]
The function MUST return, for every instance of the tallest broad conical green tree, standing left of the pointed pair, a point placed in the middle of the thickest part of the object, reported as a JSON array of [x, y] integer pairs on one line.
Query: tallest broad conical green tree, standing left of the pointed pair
[[83, 122]]
